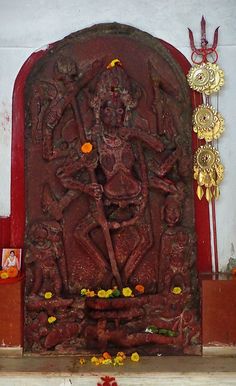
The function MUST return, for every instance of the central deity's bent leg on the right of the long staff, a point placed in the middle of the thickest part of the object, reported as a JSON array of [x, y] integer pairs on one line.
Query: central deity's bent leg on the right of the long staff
[[145, 242]]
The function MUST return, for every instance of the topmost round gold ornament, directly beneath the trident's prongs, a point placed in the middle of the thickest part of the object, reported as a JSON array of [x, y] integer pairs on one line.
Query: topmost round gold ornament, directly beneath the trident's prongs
[[206, 78]]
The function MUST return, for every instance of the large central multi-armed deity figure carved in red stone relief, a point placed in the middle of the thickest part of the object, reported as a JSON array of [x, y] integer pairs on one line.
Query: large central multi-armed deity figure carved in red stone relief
[[118, 181]]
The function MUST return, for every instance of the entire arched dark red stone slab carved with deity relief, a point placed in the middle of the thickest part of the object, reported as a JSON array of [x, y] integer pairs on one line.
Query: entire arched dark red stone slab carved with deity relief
[[109, 198]]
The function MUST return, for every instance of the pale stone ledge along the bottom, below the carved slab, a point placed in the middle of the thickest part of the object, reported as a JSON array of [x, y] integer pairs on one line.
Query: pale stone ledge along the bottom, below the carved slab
[[161, 371]]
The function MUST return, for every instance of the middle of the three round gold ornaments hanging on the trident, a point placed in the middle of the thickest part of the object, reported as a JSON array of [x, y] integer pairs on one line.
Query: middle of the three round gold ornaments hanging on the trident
[[208, 124]]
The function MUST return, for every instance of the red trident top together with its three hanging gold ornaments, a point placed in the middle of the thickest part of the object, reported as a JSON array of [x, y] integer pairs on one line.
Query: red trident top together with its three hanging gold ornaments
[[207, 78]]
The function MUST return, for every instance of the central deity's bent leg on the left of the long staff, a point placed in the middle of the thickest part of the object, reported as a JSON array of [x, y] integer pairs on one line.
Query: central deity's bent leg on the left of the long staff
[[81, 234]]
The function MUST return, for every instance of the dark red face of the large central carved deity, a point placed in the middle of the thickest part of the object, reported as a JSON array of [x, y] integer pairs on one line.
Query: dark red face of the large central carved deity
[[112, 114]]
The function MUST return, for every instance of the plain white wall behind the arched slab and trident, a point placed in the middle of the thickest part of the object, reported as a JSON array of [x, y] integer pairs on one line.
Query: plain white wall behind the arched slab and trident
[[27, 25]]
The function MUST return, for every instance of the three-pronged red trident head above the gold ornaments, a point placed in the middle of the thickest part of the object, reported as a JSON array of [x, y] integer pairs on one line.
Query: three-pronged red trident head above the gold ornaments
[[205, 53]]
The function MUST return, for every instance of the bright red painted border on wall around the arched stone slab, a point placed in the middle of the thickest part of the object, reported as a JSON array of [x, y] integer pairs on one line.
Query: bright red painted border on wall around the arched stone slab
[[12, 229]]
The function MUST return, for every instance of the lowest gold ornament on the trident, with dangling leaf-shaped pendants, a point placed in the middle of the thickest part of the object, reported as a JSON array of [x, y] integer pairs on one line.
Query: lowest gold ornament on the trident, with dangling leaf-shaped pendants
[[208, 172]]
